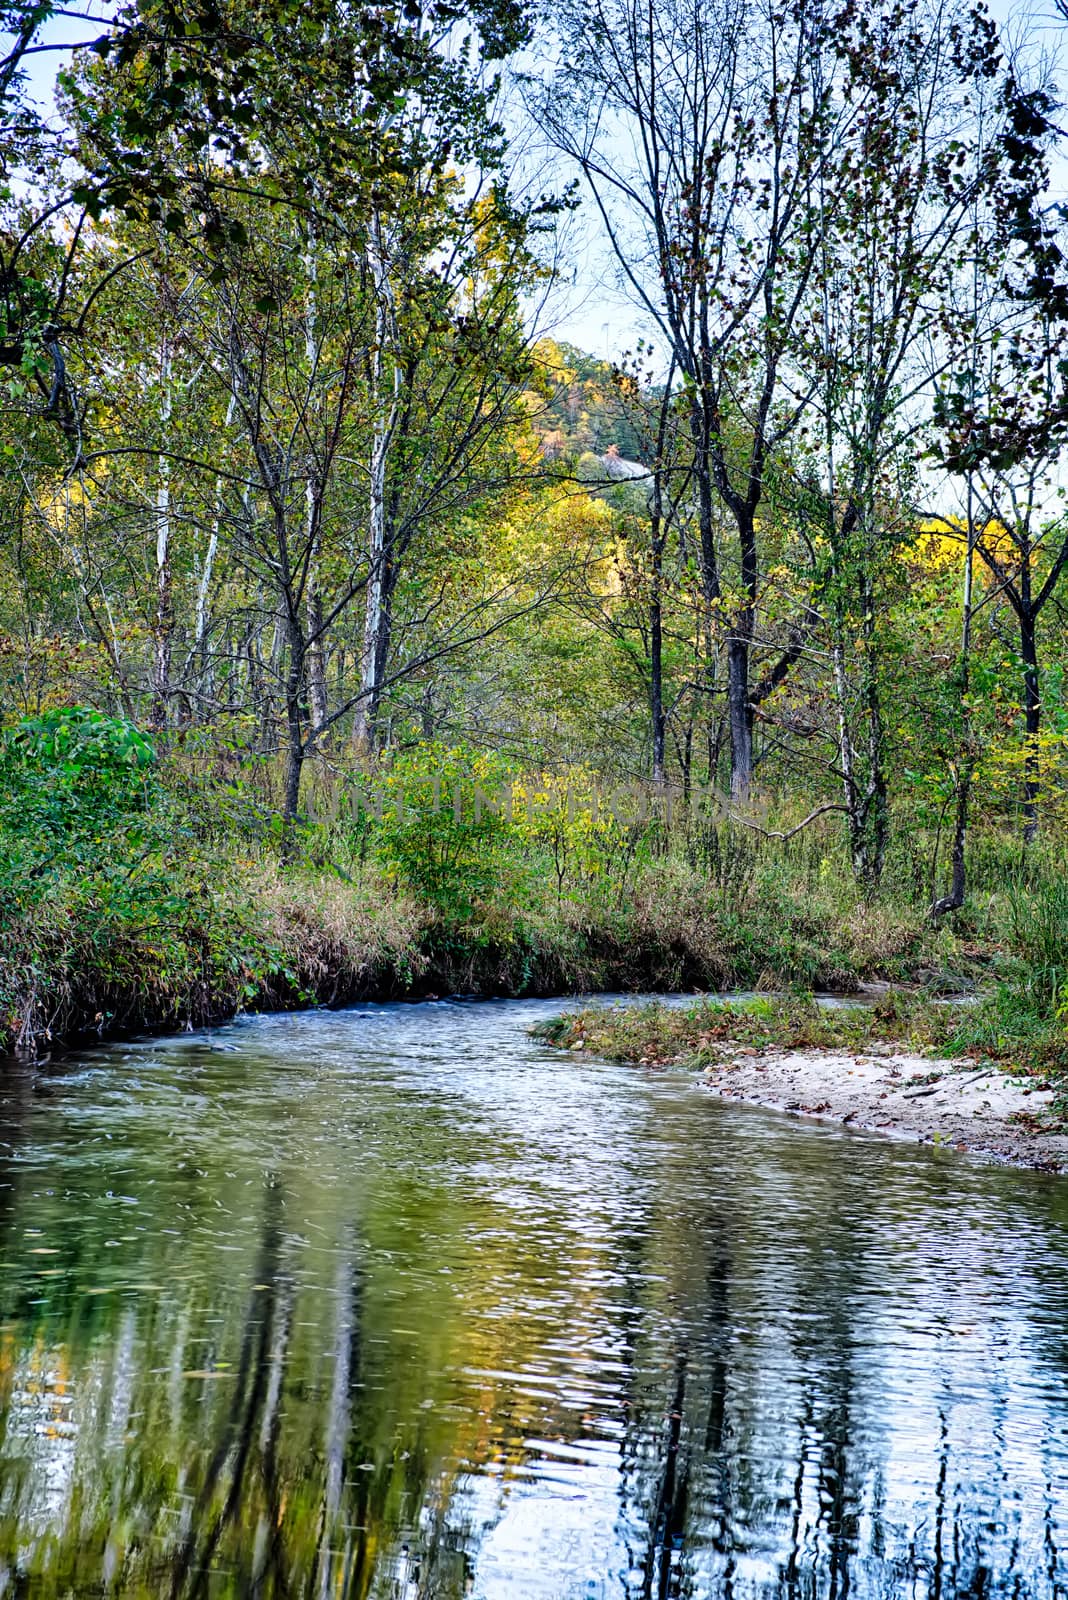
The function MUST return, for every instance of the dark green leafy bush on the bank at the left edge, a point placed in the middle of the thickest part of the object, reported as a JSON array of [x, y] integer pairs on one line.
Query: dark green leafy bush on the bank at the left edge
[[110, 903]]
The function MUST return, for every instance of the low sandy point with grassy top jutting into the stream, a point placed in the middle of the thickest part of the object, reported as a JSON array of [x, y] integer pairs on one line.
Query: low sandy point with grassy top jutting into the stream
[[859, 1066]]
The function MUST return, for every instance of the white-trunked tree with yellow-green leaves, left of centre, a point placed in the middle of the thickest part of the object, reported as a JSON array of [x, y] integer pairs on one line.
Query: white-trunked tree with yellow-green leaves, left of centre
[[445, 382]]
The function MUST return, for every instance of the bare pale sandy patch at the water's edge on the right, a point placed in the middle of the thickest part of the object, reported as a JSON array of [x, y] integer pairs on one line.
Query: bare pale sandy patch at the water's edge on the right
[[954, 1103]]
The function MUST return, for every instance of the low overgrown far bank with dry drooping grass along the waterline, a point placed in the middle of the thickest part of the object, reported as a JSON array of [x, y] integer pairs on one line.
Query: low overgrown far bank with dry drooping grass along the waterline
[[274, 942]]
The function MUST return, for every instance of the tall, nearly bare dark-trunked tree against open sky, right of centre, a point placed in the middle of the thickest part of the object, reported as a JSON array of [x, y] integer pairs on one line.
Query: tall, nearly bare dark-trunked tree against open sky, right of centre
[[714, 222]]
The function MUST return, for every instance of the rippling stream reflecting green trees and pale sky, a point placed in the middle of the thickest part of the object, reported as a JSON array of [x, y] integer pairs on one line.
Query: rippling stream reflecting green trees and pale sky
[[396, 1303]]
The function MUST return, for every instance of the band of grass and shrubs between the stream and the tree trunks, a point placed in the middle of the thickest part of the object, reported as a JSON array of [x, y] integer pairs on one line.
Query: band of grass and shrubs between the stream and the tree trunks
[[141, 892]]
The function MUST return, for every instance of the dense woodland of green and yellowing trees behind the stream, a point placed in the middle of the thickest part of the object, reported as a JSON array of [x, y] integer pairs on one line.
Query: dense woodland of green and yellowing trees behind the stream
[[309, 519]]
